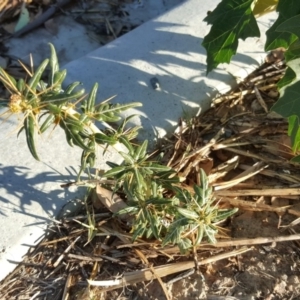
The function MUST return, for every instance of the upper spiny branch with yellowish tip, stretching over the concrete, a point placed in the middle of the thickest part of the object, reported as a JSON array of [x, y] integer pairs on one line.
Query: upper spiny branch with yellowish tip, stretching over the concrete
[[43, 104]]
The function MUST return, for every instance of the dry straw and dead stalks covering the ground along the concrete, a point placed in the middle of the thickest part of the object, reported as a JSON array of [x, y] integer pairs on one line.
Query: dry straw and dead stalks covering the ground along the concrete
[[244, 149]]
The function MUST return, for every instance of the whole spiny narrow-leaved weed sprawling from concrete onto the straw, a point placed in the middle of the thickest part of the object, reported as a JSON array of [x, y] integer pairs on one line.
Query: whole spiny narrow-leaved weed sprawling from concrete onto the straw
[[157, 206]]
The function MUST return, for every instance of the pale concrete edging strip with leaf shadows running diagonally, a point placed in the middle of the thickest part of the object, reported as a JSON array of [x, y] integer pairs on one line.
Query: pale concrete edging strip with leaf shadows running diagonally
[[168, 48]]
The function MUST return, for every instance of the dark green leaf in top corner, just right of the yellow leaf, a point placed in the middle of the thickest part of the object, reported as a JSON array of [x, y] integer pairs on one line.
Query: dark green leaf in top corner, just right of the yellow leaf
[[276, 36]]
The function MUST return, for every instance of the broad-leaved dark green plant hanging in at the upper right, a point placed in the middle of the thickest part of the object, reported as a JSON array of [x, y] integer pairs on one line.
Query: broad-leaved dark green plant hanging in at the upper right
[[232, 20]]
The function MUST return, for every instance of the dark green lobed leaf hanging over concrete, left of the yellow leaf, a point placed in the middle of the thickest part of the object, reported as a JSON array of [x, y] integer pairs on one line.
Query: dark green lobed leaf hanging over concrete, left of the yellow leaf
[[230, 21]]
